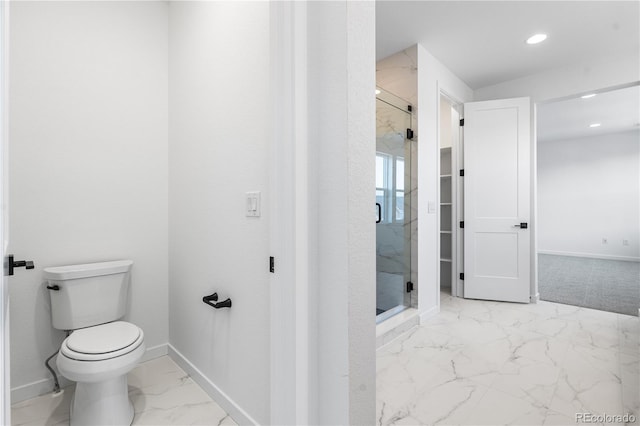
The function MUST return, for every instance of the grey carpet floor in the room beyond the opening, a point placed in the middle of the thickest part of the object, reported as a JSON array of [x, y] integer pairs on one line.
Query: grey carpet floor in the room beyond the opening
[[607, 285]]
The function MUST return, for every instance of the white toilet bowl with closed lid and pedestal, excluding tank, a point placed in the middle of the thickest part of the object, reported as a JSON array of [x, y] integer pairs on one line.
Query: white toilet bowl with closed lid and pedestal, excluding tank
[[98, 358]]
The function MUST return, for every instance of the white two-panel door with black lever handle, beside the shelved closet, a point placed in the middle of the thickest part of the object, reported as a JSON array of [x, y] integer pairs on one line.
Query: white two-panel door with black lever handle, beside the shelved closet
[[497, 137]]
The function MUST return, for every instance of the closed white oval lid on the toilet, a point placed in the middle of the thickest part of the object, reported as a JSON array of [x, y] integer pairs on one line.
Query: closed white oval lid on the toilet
[[103, 339]]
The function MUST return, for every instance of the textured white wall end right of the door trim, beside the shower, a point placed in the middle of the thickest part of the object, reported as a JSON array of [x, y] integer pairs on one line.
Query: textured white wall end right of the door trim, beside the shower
[[341, 132]]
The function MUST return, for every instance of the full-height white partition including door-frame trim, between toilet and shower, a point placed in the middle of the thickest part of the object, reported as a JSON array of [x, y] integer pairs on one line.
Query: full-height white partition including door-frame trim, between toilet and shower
[[323, 290]]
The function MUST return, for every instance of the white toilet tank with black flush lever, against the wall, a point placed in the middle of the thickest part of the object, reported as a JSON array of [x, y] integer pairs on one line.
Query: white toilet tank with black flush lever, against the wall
[[89, 294]]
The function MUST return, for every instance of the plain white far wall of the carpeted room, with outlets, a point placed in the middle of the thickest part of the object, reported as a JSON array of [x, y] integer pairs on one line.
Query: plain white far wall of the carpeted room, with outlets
[[588, 189]]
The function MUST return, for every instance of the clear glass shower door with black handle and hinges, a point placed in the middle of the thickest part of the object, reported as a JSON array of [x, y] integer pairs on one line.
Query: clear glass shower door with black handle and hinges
[[393, 205]]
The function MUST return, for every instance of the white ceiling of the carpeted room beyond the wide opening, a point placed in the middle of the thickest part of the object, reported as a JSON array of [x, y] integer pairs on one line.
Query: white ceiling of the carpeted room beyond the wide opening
[[616, 111]]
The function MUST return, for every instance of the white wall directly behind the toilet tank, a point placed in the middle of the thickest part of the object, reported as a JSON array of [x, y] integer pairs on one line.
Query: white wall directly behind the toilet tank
[[88, 162]]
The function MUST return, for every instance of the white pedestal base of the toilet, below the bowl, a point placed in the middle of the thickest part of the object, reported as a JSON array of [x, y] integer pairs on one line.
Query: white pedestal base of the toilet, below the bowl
[[102, 403]]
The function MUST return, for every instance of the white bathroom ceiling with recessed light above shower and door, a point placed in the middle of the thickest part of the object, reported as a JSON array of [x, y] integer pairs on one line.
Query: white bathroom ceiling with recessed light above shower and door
[[483, 42]]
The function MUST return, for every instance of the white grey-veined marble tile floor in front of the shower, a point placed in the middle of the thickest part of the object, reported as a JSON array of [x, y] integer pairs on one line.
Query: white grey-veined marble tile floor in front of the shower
[[493, 363]]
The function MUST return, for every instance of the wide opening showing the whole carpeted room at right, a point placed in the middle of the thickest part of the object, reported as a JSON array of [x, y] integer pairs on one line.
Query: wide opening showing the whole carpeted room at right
[[588, 200]]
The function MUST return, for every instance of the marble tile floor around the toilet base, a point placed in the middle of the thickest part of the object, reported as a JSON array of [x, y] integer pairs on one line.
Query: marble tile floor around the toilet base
[[161, 392]]
